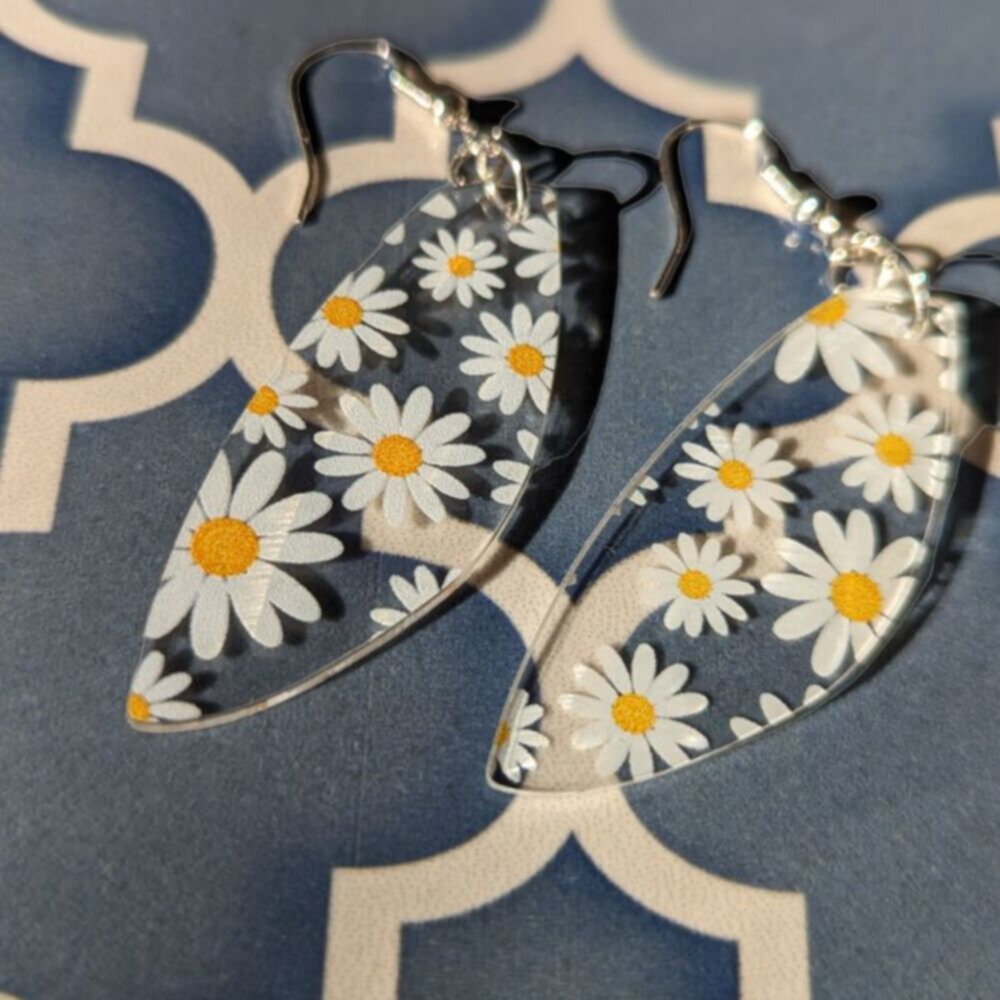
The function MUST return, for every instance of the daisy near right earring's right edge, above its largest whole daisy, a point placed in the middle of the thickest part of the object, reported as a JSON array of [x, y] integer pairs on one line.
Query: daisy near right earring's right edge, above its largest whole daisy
[[893, 449]]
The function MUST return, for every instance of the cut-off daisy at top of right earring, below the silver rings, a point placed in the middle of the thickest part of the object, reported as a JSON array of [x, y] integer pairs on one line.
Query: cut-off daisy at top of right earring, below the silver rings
[[839, 329]]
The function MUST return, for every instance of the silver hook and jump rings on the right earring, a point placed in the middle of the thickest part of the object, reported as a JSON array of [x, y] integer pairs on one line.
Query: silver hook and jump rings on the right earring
[[846, 245]]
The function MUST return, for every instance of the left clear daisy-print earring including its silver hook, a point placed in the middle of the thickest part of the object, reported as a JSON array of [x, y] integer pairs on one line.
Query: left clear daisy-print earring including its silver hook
[[408, 395]]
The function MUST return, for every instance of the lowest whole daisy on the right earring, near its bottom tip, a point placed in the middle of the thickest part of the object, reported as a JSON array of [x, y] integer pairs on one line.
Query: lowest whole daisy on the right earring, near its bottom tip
[[633, 713]]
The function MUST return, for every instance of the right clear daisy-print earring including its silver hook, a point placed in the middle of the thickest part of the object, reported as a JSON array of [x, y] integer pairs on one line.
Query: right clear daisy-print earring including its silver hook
[[762, 557]]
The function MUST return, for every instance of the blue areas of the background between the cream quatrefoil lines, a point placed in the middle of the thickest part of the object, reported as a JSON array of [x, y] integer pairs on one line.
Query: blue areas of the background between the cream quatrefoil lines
[[199, 867]]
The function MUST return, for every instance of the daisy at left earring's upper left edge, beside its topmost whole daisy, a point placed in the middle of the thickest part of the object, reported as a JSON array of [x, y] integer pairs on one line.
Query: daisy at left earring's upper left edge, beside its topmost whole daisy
[[355, 312]]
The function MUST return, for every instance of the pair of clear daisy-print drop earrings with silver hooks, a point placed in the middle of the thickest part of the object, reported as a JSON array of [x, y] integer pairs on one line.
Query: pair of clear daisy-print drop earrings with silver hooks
[[752, 568]]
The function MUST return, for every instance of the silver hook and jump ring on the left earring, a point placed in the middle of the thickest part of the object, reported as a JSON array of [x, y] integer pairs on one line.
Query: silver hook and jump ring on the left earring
[[483, 154]]
